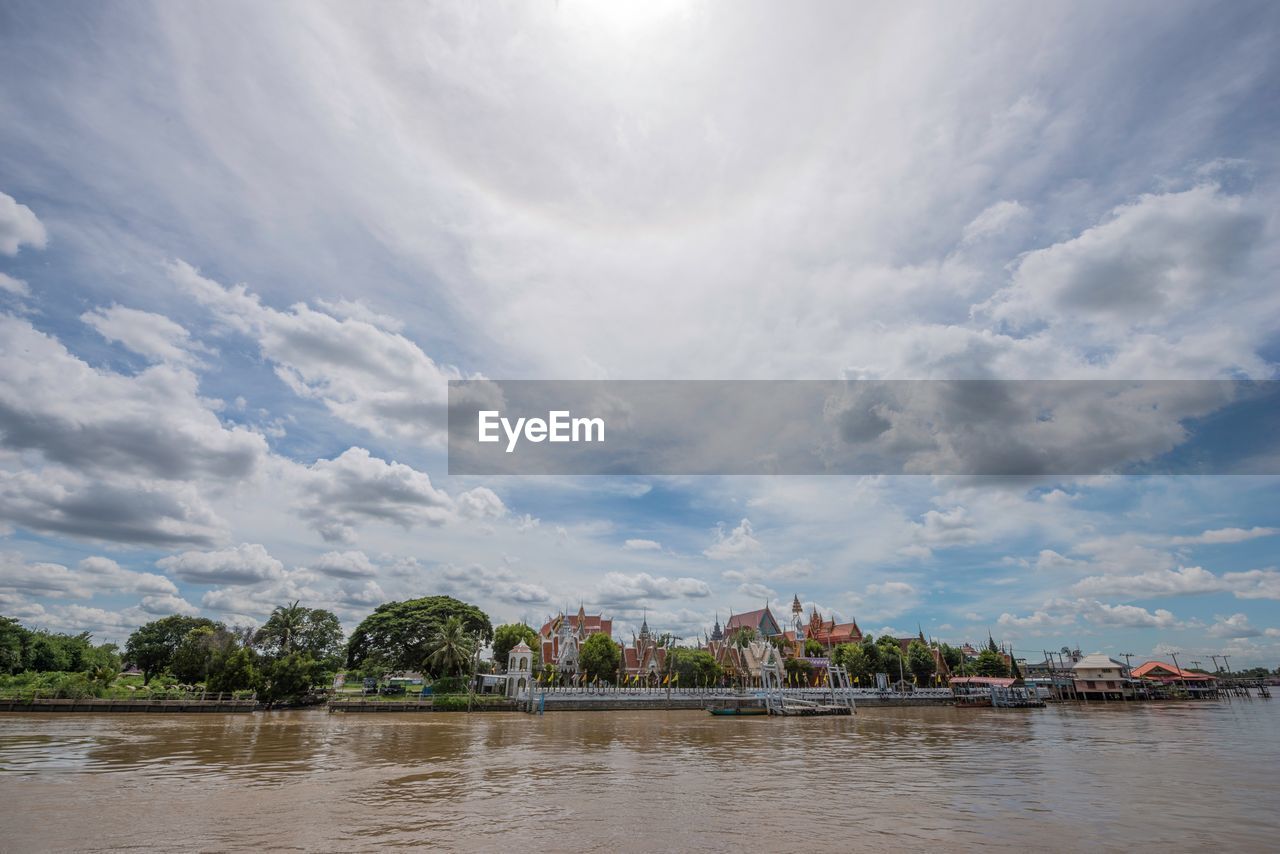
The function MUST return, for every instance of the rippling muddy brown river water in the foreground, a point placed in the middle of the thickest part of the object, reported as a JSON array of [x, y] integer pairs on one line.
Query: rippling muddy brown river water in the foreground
[[1178, 777]]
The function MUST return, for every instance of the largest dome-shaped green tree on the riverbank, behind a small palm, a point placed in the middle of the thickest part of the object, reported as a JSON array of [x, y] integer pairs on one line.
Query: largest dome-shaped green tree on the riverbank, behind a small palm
[[397, 634]]
